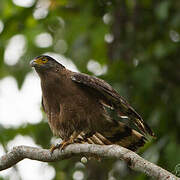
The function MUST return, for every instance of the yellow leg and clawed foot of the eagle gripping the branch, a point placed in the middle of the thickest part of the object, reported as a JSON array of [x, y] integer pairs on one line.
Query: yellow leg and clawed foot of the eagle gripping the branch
[[64, 143]]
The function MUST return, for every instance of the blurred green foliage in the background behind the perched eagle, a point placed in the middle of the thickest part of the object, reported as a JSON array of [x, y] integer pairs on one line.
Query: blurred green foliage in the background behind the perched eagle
[[143, 66]]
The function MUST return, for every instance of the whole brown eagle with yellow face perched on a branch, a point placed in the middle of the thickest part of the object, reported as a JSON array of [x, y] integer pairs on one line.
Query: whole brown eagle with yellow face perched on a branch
[[85, 109]]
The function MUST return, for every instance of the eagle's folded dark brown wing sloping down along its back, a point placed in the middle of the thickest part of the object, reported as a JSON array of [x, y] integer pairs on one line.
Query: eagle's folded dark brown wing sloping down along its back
[[112, 99]]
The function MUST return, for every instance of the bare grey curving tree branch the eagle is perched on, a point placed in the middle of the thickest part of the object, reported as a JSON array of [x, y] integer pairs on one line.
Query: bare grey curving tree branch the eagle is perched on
[[133, 160]]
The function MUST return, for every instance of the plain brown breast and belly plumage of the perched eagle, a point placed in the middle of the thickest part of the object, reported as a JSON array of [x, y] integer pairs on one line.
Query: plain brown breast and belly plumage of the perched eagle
[[70, 108]]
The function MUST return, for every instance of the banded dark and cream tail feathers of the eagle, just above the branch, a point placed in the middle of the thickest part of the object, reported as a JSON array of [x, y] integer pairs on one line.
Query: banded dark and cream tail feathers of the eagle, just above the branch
[[121, 134]]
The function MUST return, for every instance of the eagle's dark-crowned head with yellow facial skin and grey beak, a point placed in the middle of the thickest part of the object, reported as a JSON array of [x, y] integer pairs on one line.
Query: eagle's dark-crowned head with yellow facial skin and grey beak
[[45, 63]]
